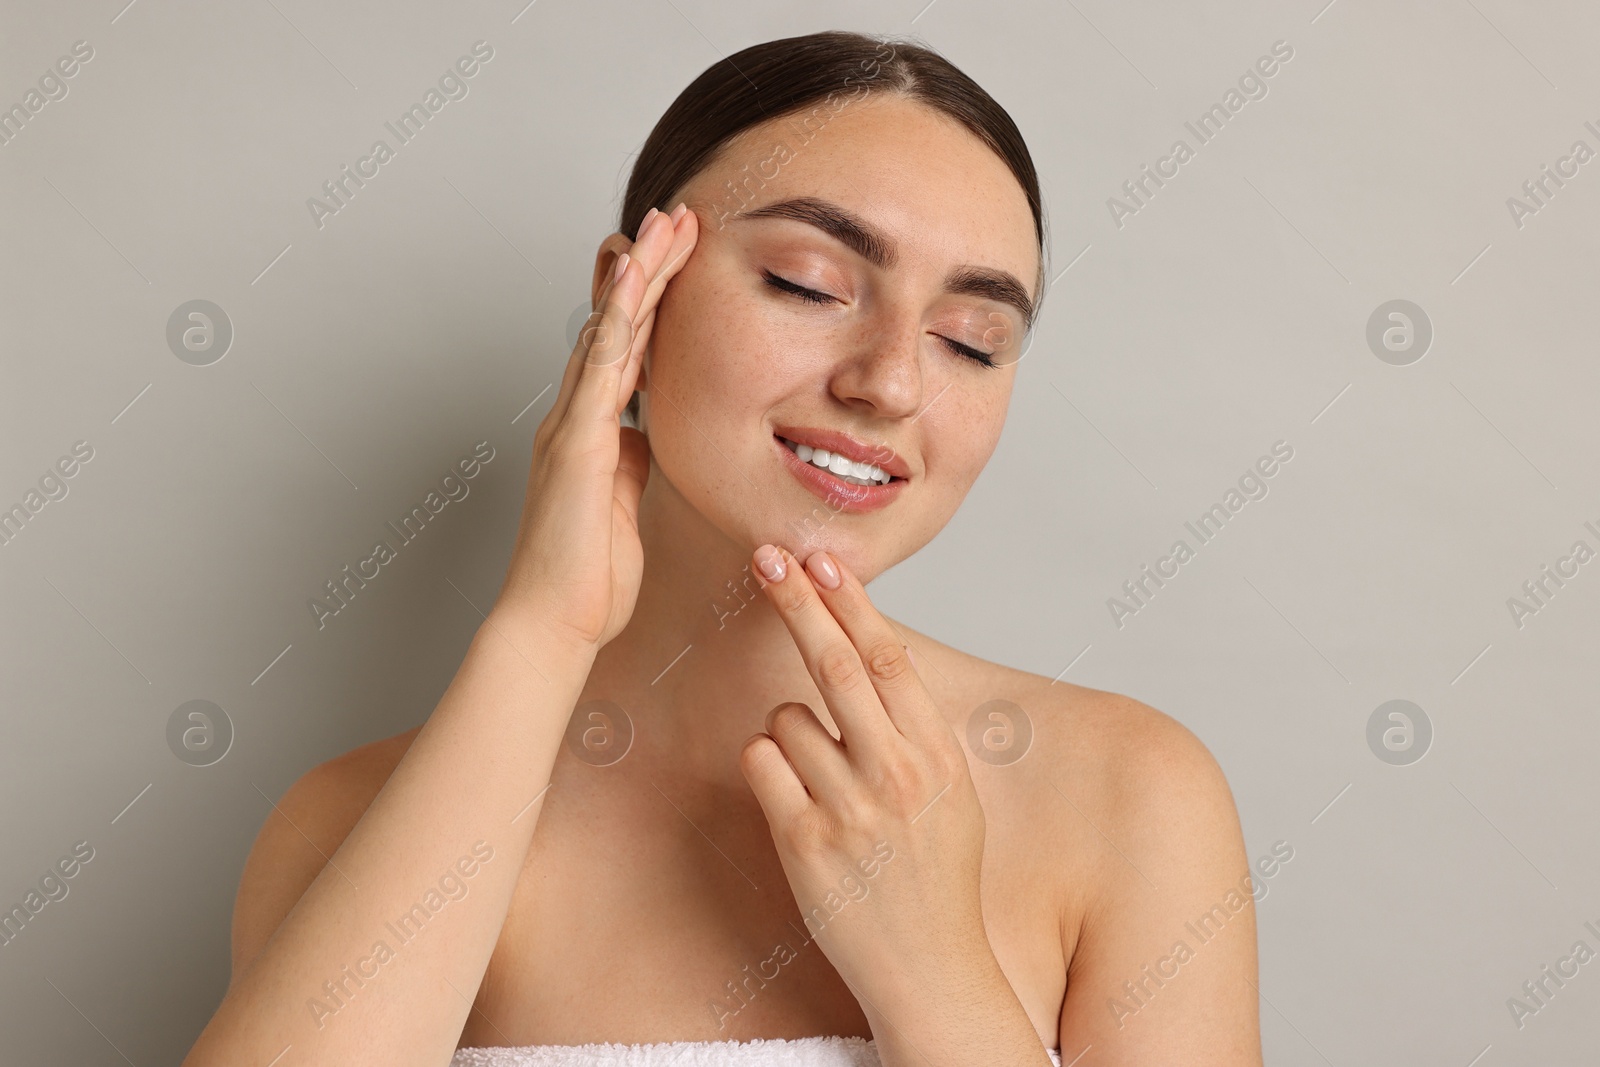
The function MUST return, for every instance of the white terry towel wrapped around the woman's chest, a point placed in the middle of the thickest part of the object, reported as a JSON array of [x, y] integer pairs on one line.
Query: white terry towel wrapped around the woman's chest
[[807, 1052]]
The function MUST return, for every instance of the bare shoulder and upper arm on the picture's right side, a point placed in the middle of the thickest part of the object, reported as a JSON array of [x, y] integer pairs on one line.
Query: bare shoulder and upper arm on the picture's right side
[[1130, 817]]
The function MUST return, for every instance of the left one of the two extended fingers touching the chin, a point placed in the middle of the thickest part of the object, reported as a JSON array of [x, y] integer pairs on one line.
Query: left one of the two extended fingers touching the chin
[[826, 650]]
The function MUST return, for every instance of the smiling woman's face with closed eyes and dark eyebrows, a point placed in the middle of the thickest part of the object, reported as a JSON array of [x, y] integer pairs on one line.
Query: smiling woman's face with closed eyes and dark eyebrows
[[738, 361]]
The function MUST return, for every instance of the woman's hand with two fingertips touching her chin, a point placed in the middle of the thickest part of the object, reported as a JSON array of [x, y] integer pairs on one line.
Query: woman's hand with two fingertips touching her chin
[[881, 833]]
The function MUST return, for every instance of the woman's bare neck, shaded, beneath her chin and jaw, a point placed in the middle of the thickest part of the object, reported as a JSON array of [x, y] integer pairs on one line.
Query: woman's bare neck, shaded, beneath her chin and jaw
[[705, 657]]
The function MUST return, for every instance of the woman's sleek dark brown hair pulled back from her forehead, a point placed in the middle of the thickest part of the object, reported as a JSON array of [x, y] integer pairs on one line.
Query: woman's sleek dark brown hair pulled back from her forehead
[[783, 78]]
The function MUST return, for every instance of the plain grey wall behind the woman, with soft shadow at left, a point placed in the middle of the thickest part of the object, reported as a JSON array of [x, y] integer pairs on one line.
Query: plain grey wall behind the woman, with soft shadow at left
[[1228, 314]]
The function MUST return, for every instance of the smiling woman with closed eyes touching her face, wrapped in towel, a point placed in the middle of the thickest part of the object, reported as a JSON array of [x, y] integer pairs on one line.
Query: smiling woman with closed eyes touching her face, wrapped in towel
[[780, 828]]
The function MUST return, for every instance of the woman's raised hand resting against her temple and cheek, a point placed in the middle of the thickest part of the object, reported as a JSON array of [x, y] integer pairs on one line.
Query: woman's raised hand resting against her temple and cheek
[[578, 561]]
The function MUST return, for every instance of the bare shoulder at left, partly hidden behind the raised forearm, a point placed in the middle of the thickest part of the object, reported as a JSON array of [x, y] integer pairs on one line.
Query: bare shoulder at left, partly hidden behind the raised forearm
[[305, 828]]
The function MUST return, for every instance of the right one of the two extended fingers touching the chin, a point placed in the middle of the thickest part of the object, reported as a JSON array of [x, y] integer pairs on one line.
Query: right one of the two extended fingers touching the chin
[[886, 660]]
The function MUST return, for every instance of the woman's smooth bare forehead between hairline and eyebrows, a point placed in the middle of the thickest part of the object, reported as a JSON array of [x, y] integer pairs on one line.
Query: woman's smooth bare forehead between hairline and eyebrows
[[940, 193]]
